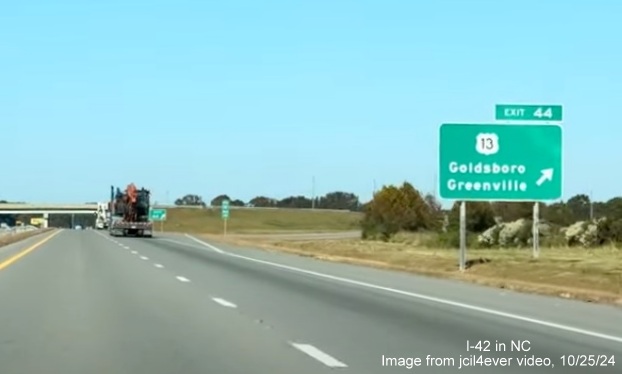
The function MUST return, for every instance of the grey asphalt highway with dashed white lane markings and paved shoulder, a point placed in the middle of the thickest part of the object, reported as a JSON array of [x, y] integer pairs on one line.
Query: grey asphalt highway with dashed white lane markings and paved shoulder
[[83, 302]]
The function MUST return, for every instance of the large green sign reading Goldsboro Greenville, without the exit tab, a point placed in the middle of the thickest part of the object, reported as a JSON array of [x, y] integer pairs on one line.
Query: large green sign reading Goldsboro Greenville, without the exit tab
[[500, 162]]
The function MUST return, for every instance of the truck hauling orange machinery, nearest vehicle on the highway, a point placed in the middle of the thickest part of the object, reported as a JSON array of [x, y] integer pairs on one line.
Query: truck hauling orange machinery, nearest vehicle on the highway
[[130, 212]]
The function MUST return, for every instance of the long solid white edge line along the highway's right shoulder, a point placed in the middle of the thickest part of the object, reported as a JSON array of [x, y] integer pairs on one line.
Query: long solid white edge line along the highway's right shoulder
[[456, 304]]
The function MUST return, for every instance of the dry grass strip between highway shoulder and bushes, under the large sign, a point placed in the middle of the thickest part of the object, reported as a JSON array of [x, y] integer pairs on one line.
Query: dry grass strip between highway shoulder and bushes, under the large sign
[[591, 275]]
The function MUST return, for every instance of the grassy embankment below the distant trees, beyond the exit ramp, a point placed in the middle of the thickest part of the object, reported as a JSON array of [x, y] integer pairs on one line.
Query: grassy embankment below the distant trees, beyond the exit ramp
[[247, 221]]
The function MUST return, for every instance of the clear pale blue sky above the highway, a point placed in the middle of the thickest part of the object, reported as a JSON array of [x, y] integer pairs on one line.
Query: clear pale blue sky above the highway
[[258, 97]]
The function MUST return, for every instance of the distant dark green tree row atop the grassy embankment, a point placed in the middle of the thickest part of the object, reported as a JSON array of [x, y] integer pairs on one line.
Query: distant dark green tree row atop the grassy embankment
[[333, 200]]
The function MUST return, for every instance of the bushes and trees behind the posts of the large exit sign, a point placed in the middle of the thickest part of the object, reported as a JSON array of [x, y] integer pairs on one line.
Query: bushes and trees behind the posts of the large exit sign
[[578, 220]]
